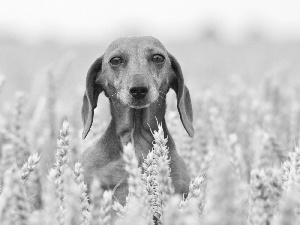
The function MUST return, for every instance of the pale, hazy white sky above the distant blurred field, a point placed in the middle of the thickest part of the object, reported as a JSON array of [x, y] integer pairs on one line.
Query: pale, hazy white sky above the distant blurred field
[[90, 20]]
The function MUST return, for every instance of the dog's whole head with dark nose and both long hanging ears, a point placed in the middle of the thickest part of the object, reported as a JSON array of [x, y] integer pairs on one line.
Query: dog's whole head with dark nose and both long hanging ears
[[136, 71]]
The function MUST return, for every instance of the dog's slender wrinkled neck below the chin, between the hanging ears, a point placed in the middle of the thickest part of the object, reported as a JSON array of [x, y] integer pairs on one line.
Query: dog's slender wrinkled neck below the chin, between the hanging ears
[[136, 125]]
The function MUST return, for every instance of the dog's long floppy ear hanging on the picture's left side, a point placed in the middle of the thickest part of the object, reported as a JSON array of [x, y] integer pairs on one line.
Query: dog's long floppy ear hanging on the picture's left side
[[90, 97]]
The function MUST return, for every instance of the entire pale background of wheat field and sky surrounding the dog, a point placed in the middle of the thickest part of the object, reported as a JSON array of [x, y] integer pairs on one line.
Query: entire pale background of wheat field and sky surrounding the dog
[[242, 68]]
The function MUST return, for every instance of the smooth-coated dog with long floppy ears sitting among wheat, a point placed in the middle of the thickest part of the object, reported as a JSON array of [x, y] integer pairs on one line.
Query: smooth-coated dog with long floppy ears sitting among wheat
[[135, 74]]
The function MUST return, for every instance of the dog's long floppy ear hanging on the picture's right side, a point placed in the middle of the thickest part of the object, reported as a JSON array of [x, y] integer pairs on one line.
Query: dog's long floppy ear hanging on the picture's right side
[[184, 104]]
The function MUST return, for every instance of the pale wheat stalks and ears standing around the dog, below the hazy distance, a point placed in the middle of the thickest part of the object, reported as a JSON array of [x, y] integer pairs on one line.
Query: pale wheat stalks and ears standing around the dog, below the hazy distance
[[244, 159]]
